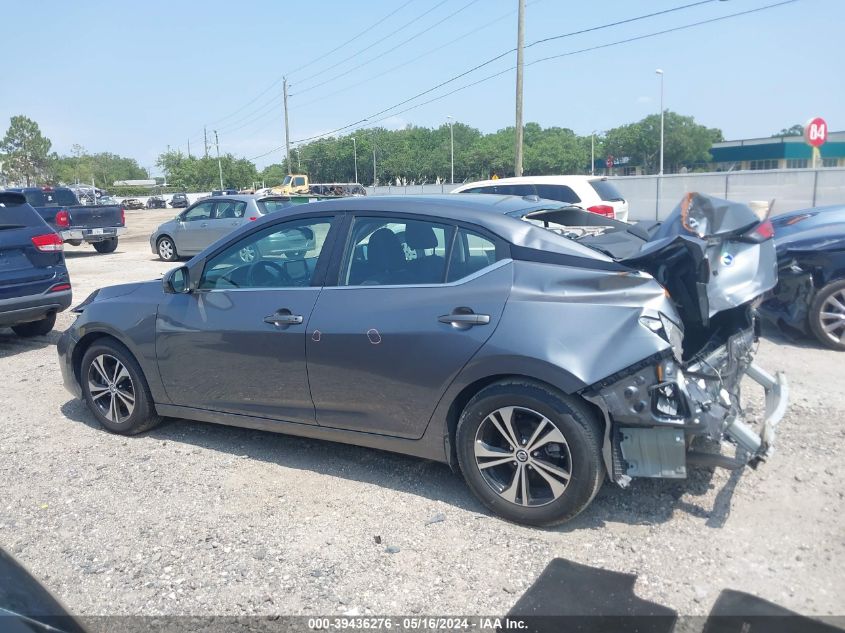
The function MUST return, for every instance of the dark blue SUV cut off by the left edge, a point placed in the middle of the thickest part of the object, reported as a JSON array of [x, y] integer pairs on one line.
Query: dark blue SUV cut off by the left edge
[[34, 282]]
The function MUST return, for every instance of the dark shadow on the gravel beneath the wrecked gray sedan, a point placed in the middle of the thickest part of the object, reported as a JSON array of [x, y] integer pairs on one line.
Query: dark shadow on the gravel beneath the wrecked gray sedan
[[648, 501]]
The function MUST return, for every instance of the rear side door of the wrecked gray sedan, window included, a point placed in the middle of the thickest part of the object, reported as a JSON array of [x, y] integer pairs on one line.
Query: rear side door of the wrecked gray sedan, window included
[[385, 342]]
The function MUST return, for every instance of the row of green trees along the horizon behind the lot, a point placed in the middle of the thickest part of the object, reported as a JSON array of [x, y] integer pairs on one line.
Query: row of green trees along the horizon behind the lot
[[412, 155]]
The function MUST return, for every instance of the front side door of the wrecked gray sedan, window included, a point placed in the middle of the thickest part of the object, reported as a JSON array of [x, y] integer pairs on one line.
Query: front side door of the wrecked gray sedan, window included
[[237, 343]]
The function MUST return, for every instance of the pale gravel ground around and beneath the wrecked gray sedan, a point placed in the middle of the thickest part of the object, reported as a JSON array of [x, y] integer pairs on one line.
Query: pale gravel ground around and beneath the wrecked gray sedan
[[195, 518]]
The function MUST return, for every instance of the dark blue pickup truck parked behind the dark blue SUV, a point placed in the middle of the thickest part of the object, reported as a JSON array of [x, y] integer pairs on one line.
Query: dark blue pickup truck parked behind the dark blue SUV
[[98, 225]]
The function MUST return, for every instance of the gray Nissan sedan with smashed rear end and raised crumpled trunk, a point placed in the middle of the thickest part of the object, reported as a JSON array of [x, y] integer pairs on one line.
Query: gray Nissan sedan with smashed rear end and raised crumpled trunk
[[456, 329]]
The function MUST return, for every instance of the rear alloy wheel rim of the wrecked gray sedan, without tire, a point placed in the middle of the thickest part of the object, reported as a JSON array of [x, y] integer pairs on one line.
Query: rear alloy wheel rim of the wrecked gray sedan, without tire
[[523, 456]]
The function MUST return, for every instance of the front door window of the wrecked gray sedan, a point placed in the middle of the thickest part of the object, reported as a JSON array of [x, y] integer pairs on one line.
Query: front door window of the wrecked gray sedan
[[280, 256]]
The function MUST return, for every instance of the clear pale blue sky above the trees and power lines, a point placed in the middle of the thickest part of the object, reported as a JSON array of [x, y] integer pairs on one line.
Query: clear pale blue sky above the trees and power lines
[[134, 77]]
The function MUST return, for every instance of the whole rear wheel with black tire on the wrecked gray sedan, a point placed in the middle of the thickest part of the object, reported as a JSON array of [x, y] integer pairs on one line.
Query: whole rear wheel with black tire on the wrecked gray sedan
[[546, 486]]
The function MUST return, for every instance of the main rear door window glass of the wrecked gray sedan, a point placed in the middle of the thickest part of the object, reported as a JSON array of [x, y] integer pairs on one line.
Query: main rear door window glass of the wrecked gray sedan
[[392, 251]]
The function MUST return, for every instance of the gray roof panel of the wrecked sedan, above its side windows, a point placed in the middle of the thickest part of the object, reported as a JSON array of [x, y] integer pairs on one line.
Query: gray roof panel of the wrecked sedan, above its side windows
[[493, 212]]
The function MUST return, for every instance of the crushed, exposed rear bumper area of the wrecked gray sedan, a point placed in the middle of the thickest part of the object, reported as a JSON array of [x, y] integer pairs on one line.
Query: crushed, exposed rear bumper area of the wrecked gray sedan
[[657, 408]]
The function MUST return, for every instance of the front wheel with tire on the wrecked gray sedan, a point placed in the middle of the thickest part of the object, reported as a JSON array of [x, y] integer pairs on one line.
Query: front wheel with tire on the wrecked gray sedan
[[115, 390]]
